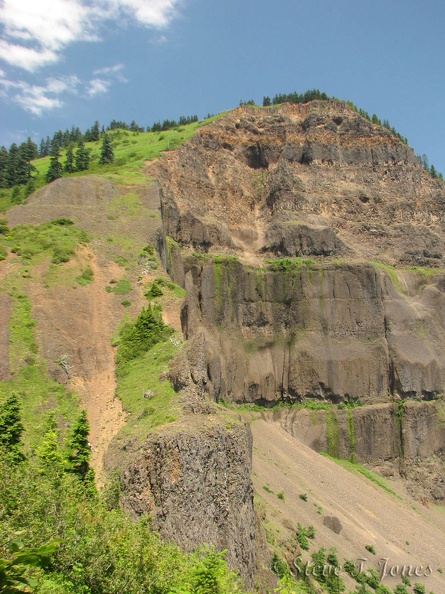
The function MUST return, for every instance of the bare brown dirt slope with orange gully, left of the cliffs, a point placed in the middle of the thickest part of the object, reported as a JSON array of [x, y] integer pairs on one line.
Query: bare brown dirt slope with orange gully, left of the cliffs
[[77, 322]]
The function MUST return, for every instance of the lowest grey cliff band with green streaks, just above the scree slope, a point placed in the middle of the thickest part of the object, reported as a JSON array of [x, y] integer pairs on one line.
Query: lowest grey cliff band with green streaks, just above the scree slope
[[406, 438]]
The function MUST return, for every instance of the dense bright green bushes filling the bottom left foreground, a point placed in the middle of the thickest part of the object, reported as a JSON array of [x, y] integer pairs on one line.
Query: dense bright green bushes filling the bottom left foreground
[[61, 537]]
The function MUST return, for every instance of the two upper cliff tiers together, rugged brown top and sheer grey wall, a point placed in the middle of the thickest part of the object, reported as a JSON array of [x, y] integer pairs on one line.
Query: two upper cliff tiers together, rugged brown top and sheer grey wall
[[312, 180]]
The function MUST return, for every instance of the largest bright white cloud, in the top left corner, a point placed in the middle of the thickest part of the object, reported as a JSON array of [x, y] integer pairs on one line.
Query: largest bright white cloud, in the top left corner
[[36, 31]]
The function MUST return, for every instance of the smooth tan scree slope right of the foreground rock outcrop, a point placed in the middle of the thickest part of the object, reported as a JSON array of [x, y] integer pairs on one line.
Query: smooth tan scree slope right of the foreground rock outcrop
[[398, 527]]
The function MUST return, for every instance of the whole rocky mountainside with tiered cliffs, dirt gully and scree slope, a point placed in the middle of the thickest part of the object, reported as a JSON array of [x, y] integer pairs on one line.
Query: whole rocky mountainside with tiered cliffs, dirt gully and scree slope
[[305, 250]]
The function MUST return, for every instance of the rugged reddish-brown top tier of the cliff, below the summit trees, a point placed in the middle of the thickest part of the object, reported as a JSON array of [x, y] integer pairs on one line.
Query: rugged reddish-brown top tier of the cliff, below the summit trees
[[313, 179]]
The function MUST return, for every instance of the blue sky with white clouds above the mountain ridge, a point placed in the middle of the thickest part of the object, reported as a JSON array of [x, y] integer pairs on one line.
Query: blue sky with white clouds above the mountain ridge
[[71, 62]]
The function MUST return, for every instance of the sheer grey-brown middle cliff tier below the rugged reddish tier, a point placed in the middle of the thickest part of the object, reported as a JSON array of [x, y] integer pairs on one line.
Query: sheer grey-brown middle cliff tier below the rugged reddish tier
[[335, 332]]
